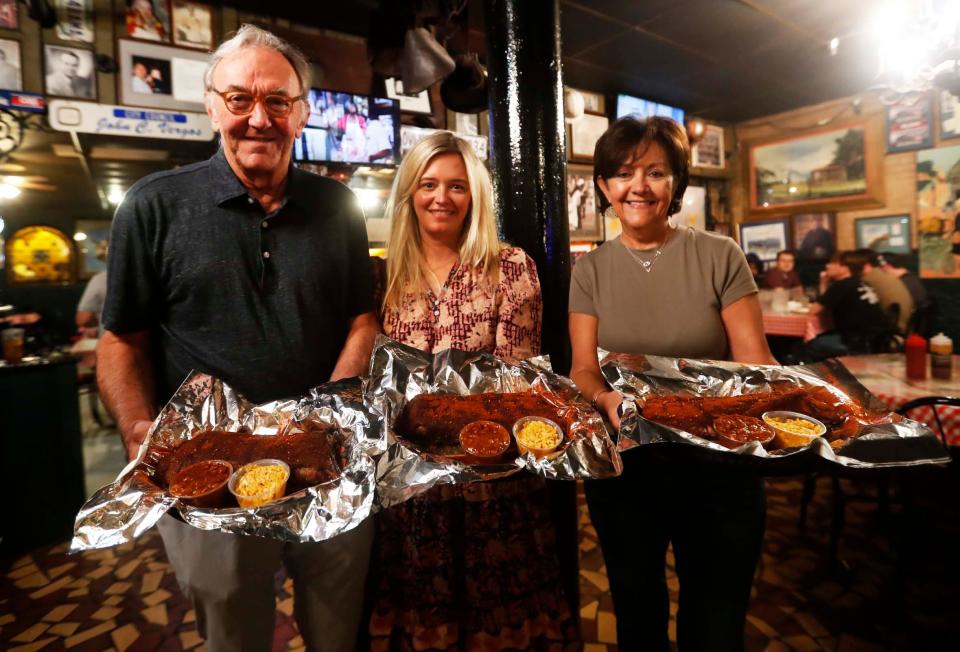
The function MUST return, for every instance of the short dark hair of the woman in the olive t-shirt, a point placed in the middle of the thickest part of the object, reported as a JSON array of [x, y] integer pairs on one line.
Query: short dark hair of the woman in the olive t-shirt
[[619, 144]]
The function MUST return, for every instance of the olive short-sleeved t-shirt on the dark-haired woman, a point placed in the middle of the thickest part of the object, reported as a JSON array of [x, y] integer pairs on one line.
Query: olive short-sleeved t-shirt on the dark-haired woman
[[672, 310]]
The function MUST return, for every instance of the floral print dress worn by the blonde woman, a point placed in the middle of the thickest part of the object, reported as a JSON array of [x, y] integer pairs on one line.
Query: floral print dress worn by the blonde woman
[[471, 567]]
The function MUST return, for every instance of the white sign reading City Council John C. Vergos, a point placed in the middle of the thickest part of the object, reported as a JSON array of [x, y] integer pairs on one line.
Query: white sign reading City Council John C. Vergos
[[90, 118]]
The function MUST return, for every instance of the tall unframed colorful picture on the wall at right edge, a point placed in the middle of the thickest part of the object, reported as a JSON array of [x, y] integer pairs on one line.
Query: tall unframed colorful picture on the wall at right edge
[[938, 212]]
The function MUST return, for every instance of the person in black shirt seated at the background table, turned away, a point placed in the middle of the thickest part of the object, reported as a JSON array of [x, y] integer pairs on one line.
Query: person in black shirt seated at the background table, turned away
[[853, 307]]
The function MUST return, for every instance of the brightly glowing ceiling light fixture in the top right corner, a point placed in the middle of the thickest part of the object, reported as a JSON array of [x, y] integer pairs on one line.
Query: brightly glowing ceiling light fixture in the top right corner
[[918, 45]]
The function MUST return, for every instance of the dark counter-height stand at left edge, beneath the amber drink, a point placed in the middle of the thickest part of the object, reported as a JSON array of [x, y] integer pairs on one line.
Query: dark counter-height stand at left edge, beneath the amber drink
[[41, 464]]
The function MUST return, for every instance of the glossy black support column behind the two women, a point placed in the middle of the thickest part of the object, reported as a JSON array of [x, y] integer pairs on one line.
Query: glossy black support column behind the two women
[[528, 163]]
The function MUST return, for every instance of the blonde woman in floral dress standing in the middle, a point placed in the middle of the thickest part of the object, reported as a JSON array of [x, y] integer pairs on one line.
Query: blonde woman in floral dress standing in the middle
[[463, 566]]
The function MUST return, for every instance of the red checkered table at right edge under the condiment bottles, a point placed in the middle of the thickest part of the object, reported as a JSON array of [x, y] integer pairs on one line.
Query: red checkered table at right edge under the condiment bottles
[[884, 374]]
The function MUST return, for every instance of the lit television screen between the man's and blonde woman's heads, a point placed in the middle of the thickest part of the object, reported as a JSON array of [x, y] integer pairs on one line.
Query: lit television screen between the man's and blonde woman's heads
[[349, 128]]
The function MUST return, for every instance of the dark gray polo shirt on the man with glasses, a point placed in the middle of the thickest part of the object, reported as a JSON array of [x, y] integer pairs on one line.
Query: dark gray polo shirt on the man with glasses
[[263, 302]]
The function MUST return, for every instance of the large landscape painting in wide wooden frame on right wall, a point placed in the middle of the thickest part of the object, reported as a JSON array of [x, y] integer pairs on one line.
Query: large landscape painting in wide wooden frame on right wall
[[822, 170]]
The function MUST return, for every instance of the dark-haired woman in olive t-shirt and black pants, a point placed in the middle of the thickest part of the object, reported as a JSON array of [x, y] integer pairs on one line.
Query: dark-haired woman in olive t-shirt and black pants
[[679, 292]]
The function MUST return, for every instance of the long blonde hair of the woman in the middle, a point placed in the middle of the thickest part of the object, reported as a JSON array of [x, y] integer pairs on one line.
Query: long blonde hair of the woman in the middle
[[479, 244]]
